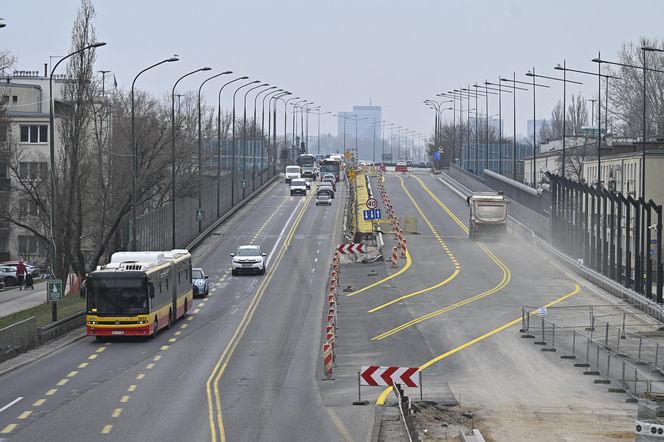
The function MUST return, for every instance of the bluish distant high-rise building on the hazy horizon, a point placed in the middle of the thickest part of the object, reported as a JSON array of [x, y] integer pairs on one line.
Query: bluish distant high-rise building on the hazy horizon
[[364, 117]]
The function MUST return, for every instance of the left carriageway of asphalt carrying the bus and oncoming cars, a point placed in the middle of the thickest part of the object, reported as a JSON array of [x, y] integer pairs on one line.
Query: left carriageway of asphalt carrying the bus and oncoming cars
[[264, 329]]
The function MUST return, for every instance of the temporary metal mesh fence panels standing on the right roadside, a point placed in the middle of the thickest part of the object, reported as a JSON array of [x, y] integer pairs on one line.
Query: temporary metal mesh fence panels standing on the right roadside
[[610, 341]]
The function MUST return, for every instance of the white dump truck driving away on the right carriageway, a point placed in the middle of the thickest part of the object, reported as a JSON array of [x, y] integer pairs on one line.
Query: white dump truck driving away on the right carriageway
[[488, 214]]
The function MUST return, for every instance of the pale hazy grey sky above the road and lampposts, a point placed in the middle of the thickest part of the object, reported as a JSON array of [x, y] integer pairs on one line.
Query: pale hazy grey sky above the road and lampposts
[[343, 53]]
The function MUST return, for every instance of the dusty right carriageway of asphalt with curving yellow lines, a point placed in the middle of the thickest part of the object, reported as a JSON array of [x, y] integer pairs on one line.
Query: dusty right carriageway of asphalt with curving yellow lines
[[460, 328]]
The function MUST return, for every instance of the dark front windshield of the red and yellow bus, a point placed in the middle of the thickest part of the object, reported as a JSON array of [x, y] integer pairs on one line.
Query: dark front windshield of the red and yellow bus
[[117, 296]]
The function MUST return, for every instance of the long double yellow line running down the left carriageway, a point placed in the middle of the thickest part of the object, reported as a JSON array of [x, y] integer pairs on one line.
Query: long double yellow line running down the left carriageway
[[218, 370]]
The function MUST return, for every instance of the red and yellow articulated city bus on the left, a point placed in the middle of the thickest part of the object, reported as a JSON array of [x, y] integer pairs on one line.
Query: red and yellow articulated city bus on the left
[[138, 293]]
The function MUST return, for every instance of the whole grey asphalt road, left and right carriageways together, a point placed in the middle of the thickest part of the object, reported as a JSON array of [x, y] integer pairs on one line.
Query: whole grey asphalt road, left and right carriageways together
[[245, 364]]
